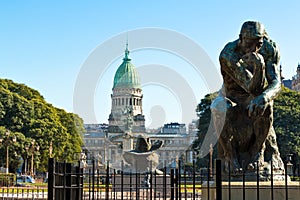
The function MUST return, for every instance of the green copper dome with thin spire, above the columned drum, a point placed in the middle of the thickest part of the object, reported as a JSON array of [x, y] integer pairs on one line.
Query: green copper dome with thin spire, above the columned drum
[[126, 75]]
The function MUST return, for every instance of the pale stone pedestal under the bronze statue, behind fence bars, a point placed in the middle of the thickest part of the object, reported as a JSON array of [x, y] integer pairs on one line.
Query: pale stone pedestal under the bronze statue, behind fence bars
[[265, 190]]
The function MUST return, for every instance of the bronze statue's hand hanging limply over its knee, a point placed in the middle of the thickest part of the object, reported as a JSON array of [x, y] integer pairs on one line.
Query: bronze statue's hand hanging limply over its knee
[[257, 106]]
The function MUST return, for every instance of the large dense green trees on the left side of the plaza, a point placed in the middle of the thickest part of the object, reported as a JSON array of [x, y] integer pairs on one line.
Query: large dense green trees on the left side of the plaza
[[25, 113]]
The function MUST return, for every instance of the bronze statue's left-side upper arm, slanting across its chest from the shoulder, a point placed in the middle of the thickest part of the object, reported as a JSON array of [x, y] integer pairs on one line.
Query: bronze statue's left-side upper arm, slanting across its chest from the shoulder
[[234, 67]]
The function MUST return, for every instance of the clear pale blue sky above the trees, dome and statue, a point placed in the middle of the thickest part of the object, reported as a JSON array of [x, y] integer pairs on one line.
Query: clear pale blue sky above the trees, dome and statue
[[70, 50]]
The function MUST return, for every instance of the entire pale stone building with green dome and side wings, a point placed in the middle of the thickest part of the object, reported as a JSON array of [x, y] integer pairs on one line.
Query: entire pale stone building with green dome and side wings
[[126, 122]]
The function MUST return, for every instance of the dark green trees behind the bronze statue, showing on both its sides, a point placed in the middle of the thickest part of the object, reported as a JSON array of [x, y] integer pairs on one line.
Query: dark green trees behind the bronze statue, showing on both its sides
[[286, 124]]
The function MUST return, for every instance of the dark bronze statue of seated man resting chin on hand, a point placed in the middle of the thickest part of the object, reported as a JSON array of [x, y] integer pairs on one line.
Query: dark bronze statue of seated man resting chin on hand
[[251, 81]]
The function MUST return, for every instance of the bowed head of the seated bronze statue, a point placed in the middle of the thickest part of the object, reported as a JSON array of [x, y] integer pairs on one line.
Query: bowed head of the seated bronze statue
[[251, 36]]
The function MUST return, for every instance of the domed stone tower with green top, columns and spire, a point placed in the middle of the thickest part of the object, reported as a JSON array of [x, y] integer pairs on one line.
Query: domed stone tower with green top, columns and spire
[[126, 100]]
